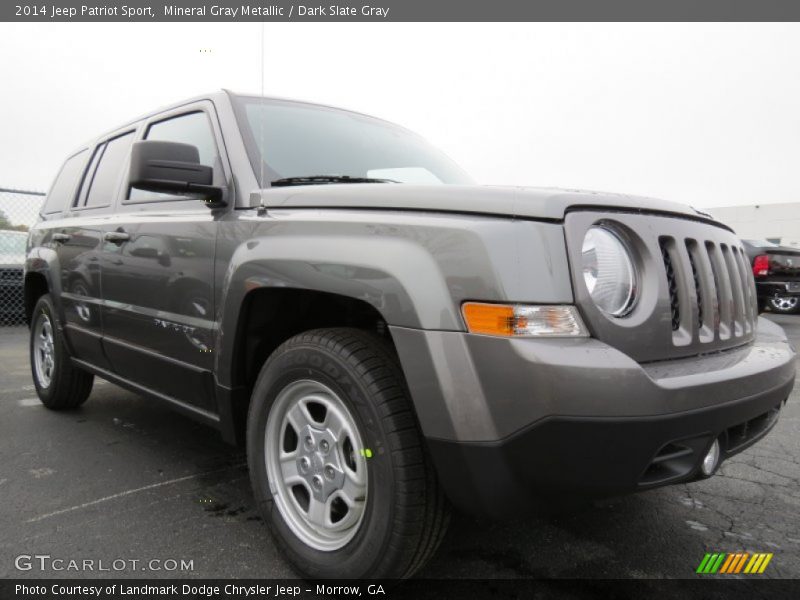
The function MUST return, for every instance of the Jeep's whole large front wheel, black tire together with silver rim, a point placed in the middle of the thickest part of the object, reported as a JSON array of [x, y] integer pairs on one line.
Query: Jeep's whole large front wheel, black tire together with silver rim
[[338, 466]]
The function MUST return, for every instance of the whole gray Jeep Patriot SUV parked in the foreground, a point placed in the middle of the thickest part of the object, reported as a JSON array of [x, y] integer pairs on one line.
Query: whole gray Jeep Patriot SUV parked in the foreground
[[387, 338]]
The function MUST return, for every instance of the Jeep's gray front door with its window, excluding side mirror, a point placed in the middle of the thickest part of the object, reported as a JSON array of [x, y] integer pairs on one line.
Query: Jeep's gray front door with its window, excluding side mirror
[[158, 274]]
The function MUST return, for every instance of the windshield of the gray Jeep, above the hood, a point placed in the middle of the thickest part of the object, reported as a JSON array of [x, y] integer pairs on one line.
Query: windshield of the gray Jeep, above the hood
[[291, 139]]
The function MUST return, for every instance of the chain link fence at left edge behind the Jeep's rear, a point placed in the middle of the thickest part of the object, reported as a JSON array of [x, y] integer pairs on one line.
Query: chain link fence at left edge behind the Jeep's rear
[[19, 210]]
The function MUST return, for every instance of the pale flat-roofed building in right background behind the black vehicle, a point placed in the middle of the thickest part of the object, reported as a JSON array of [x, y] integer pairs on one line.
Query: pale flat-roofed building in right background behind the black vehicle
[[778, 223]]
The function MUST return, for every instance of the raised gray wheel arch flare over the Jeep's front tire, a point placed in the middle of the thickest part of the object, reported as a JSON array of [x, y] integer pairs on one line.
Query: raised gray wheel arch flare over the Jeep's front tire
[[400, 280]]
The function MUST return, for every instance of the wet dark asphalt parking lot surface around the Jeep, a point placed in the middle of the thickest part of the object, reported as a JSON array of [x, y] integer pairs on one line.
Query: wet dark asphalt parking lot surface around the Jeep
[[125, 478]]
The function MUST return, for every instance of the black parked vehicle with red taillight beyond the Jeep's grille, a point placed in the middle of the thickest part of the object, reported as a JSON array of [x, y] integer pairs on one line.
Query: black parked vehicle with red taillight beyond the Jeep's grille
[[777, 273]]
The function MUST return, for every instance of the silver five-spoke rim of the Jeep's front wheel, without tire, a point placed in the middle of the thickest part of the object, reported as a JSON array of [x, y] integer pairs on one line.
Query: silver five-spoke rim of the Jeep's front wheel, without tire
[[317, 474]]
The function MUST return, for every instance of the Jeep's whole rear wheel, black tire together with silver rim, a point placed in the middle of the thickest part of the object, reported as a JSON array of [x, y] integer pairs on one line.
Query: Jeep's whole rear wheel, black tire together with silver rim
[[59, 384]]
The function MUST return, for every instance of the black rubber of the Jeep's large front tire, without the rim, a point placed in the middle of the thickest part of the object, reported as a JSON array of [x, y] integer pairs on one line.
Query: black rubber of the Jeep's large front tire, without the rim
[[406, 514]]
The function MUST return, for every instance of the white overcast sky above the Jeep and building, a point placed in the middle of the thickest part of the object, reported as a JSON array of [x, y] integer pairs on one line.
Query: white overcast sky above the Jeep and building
[[705, 114]]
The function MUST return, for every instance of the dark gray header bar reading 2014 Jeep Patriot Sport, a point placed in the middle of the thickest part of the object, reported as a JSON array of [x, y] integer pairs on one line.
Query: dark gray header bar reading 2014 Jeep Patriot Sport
[[399, 10]]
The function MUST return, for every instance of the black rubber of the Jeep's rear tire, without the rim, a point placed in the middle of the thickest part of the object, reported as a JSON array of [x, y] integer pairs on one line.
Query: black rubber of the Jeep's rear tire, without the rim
[[69, 386]]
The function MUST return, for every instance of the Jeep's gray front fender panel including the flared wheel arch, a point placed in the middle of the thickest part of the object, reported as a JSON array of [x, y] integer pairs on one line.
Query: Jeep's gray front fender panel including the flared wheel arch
[[415, 269]]
